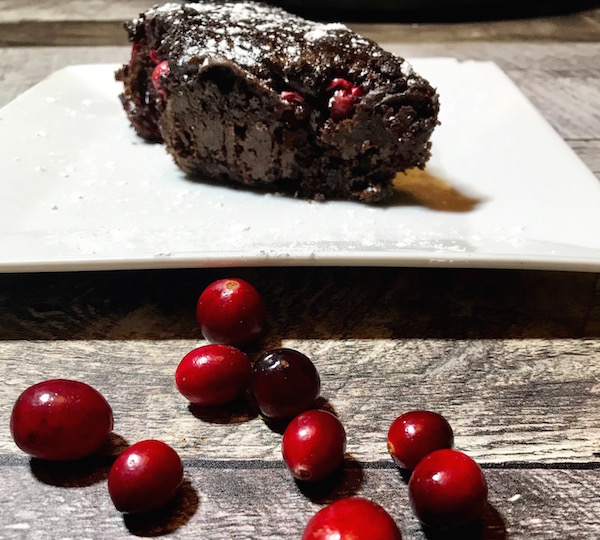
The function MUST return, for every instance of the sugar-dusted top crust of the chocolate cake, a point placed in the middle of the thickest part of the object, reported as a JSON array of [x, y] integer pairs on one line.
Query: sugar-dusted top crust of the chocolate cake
[[265, 40]]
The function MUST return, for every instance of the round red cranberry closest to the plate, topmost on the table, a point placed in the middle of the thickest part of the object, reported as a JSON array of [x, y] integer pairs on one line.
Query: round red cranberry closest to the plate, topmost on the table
[[231, 311]]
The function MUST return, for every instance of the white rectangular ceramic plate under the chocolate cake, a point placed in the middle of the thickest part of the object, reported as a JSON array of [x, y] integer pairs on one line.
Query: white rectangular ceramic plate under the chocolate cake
[[80, 191]]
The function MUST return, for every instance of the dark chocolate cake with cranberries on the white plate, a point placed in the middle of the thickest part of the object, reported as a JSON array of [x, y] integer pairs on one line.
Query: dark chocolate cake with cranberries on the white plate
[[245, 92]]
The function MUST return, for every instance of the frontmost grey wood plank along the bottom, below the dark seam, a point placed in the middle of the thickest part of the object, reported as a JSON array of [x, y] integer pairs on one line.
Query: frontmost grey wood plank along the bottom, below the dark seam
[[225, 502]]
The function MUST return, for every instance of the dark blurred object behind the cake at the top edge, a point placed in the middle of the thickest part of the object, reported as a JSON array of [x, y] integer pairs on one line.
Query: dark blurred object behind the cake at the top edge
[[431, 10]]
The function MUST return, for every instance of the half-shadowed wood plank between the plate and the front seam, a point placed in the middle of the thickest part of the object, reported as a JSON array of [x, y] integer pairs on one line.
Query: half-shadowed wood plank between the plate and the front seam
[[514, 369]]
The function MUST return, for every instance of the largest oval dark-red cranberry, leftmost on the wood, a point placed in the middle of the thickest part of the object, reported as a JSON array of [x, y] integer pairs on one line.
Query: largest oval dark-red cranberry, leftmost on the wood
[[61, 420]]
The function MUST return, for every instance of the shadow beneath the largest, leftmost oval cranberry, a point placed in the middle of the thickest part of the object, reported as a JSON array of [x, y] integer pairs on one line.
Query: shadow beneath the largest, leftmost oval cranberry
[[82, 472]]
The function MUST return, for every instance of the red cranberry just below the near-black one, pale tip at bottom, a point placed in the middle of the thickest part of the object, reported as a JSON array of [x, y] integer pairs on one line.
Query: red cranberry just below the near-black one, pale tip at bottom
[[313, 445]]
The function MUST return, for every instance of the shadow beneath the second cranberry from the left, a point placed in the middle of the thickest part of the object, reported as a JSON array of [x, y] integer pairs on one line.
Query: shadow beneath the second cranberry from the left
[[168, 519]]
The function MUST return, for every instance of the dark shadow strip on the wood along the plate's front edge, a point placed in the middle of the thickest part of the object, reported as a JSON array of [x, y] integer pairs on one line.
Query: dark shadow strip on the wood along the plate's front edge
[[309, 303]]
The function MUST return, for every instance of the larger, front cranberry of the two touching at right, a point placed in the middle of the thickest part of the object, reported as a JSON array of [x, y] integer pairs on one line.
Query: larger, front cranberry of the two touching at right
[[447, 489]]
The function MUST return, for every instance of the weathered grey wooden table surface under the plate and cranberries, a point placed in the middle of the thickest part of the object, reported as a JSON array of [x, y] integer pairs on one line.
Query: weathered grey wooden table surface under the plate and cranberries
[[511, 358]]
